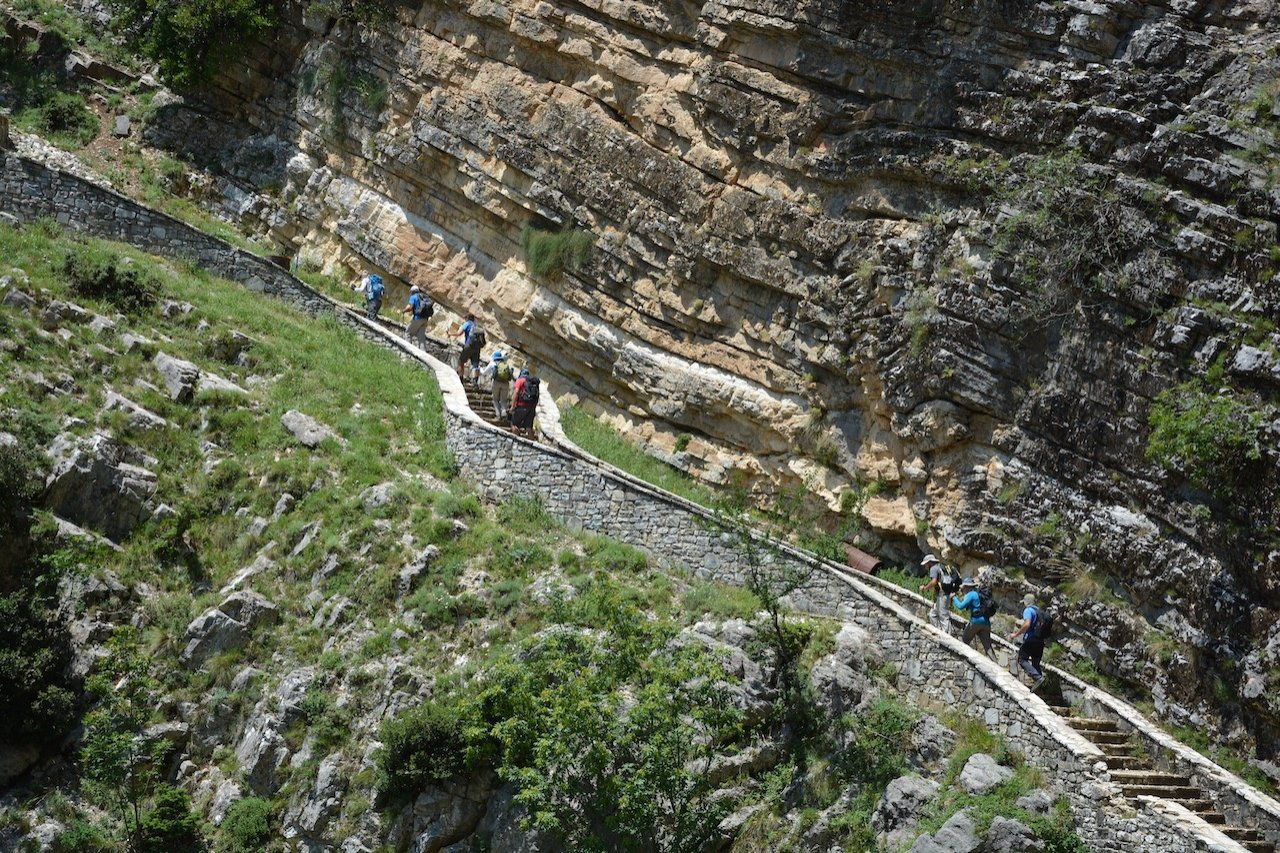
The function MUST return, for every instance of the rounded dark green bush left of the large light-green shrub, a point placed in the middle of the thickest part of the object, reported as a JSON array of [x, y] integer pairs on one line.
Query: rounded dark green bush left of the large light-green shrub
[[423, 746]]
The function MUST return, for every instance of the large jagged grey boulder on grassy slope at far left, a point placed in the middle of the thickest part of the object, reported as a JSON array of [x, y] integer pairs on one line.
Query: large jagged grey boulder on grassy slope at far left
[[93, 486]]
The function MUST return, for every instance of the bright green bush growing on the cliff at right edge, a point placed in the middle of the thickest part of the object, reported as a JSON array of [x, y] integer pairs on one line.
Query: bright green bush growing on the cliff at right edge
[[1212, 435]]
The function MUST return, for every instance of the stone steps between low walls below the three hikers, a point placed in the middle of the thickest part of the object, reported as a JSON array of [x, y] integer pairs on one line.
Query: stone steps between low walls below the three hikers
[[1137, 777]]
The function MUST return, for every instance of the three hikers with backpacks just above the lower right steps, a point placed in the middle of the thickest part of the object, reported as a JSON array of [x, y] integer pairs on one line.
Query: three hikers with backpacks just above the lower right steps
[[964, 594]]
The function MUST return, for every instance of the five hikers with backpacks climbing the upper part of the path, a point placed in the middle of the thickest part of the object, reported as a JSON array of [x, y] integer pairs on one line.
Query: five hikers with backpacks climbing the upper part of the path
[[515, 393]]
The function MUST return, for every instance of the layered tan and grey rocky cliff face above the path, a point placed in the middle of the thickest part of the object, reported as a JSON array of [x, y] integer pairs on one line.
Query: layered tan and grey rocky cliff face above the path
[[958, 249]]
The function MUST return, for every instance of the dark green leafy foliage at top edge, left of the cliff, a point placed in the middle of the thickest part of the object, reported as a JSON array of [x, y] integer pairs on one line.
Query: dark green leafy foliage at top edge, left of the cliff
[[195, 40]]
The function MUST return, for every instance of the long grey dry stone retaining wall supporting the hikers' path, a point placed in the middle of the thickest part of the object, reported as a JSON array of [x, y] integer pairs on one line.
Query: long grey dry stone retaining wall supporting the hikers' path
[[934, 669]]
